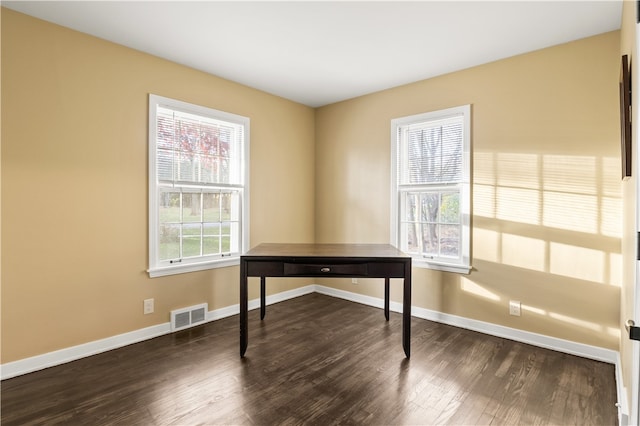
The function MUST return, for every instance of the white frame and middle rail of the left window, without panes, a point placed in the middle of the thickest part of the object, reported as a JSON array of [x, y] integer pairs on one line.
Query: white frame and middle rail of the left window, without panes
[[159, 267]]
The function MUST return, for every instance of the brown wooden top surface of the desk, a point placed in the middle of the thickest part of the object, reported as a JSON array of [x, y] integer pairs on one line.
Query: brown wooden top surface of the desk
[[326, 250]]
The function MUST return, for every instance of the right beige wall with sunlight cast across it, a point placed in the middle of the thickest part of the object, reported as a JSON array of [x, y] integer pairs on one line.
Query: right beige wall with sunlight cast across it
[[546, 188]]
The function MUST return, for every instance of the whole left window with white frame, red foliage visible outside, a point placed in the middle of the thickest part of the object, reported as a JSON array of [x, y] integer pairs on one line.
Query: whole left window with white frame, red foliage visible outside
[[198, 187]]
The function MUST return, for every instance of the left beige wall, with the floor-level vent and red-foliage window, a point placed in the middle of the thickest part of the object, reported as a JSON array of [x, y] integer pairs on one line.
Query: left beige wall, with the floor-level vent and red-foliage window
[[74, 186]]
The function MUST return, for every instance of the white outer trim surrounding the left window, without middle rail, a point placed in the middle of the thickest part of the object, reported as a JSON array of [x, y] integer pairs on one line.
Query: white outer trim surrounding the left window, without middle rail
[[155, 268]]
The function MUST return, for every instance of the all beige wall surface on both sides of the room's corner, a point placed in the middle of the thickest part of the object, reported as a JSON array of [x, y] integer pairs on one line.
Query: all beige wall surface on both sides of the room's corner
[[74, 187]]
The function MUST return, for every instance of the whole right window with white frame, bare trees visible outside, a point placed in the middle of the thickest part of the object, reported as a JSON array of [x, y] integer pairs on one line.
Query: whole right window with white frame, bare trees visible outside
[[430, 212]]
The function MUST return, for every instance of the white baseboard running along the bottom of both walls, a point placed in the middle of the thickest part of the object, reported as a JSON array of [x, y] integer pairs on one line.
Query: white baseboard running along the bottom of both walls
[[39, 362]]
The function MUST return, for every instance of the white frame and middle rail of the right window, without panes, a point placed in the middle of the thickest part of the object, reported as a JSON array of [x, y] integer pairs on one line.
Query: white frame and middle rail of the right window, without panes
[[462, 264]]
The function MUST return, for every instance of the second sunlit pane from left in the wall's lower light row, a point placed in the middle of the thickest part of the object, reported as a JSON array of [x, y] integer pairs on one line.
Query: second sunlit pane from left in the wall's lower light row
[[524, 252]]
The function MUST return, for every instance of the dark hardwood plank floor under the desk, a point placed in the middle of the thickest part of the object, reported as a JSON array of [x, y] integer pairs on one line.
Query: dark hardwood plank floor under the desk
[[318, 360]]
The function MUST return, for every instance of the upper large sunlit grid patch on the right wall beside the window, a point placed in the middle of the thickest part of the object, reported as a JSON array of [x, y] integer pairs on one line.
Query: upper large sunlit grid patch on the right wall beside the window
[[574, 193]]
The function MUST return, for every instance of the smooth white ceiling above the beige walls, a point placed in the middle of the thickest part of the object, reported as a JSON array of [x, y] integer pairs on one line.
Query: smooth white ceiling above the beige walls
[[317, 53]]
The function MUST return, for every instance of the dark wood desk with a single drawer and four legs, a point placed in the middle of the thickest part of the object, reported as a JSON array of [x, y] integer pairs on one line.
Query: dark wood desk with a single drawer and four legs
[[325, 261]]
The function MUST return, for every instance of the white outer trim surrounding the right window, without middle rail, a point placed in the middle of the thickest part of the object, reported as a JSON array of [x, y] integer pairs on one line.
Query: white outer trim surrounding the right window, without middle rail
[[464, 266]]
